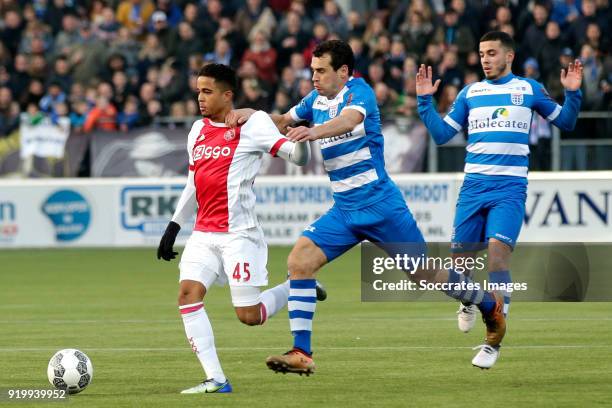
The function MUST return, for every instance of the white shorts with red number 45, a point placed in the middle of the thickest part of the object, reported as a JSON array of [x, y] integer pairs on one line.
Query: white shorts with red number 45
[[239, 258]]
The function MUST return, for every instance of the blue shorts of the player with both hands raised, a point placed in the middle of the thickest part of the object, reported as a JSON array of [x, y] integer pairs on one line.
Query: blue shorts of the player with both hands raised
[[488, 209]]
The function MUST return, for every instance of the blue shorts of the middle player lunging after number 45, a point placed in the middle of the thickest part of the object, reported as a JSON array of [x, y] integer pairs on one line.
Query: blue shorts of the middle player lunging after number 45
[[387, 221]]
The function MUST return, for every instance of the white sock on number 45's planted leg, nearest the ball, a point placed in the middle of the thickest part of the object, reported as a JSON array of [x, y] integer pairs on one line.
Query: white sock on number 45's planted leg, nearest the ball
[[200, 336]]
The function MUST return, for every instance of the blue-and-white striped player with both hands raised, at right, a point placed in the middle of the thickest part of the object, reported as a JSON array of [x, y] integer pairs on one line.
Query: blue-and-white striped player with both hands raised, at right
[[497, 113]]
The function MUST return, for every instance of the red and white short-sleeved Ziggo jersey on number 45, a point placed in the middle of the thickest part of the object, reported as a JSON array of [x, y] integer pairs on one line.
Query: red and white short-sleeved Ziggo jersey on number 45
[[225, 162]]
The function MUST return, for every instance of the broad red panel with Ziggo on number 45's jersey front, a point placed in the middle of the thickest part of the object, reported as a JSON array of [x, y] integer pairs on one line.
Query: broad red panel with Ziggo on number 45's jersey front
[[212, 157]]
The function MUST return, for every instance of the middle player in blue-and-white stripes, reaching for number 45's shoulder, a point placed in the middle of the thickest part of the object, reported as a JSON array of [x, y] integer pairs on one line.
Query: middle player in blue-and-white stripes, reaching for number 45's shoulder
[[368, 205]]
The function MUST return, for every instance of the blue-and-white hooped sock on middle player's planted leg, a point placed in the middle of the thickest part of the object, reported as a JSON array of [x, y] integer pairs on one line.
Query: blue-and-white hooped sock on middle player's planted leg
[[301, 306]]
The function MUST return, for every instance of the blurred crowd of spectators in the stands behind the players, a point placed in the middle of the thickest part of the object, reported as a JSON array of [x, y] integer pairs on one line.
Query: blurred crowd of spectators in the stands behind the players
[[116, 65]]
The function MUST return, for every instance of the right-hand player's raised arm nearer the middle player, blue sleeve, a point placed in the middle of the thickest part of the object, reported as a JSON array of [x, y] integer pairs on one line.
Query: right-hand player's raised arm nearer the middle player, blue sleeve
[[442, 130]]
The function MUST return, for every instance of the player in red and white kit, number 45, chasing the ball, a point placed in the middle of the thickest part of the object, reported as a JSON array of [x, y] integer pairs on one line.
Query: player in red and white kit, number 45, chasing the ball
[[227, 243]]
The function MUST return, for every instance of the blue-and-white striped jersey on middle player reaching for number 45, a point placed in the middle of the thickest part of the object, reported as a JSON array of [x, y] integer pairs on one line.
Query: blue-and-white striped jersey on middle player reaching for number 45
[[354, 161]]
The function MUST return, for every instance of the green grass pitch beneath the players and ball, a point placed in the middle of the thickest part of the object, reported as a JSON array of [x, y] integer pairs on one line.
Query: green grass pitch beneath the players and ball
[[119, 306]]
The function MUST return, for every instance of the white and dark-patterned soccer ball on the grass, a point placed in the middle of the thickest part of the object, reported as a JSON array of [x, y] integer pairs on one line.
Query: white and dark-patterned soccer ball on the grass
[[70, 370]]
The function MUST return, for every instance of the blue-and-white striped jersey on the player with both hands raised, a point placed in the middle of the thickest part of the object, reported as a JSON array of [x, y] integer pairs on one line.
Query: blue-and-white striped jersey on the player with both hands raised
[[497, 115]]
